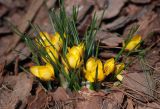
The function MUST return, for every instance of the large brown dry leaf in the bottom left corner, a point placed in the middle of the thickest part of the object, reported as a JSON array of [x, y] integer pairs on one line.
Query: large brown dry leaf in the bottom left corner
[[13, 94]]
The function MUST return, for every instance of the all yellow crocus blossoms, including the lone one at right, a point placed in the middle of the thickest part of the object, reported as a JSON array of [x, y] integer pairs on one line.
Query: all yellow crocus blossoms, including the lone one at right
[[94, 70]]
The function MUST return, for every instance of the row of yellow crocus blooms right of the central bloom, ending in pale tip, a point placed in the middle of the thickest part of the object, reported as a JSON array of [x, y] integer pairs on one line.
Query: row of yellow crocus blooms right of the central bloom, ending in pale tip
[[95, 70]]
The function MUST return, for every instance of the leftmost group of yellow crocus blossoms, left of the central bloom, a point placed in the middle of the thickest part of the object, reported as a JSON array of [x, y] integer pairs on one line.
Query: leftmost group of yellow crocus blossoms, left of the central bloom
[[53, 45]]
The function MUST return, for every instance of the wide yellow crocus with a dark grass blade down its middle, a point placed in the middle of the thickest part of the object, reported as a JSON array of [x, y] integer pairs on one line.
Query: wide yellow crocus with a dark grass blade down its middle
[[94, 66]]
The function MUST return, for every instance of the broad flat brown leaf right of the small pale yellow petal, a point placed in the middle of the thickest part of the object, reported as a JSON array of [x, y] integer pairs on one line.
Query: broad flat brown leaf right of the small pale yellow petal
[[140, 86]]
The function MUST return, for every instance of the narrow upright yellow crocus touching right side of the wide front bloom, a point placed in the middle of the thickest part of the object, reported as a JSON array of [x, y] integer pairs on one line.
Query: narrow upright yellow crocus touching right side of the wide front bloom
[[109, 66]]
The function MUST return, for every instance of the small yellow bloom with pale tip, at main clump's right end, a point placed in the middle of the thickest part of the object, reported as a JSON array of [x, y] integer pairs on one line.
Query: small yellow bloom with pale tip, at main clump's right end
[[118, 70]]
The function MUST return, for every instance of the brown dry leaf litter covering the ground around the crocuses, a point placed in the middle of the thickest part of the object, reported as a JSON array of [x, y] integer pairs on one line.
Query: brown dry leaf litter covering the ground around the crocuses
[[120, 16]]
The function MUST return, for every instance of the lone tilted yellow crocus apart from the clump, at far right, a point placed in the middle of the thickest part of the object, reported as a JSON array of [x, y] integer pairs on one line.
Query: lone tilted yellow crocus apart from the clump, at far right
[[133, 43]]
